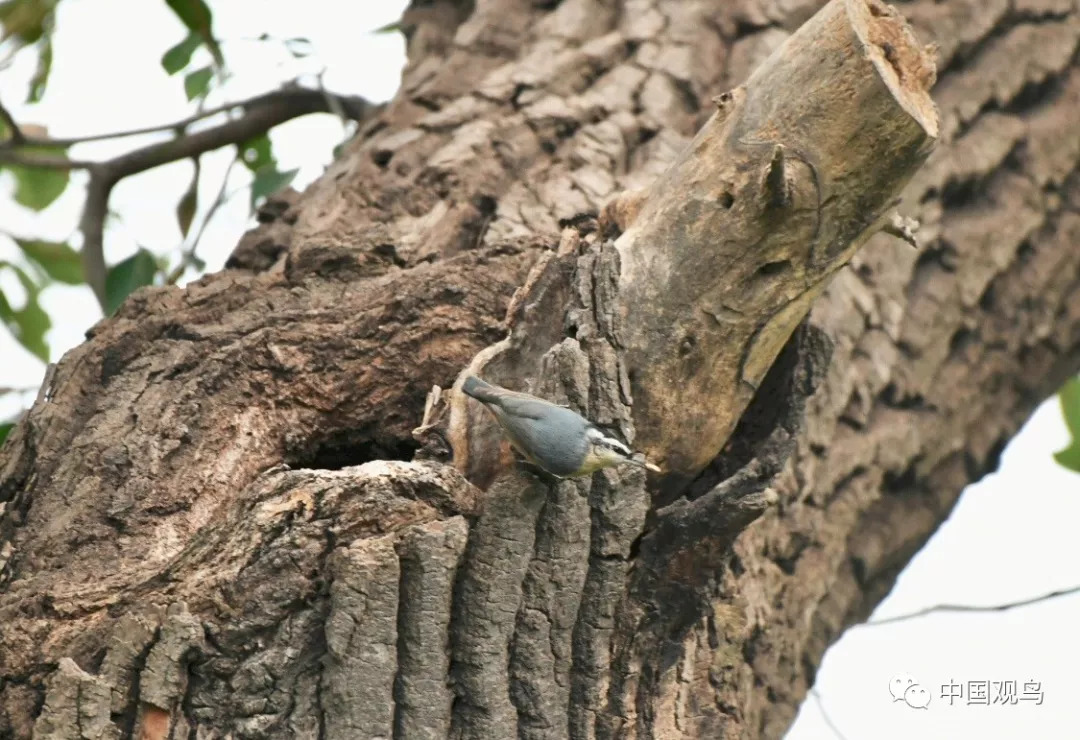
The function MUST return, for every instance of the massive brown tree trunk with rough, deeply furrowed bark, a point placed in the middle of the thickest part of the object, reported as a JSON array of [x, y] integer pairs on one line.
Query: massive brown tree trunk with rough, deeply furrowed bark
[[161, 574]]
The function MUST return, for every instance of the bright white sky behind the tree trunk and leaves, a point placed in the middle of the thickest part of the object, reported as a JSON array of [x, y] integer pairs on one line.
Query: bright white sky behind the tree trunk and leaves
[[1012, 536]]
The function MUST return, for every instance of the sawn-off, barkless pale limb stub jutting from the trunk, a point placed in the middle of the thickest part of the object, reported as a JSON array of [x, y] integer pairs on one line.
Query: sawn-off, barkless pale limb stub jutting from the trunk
[[731, 248]]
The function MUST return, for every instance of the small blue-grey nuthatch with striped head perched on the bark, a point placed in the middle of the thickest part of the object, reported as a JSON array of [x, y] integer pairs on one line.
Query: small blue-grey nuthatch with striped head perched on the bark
[[550, 437]]
